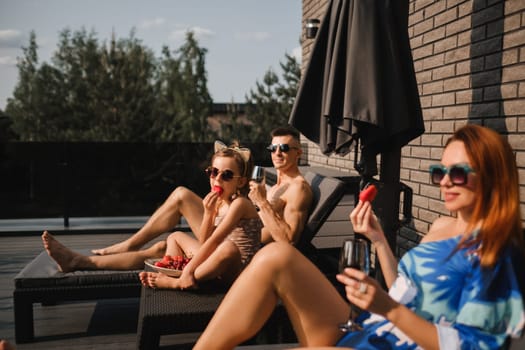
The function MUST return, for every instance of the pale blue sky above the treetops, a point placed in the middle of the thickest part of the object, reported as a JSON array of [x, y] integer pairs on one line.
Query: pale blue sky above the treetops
[[244, 38]]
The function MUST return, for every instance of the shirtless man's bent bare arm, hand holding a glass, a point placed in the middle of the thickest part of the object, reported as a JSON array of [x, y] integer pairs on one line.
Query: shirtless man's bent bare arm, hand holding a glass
[[288, 227]]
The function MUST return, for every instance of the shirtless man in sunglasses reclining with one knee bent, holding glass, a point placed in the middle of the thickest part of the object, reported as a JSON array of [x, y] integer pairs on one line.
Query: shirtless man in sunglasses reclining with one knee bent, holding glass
[[283, 210]]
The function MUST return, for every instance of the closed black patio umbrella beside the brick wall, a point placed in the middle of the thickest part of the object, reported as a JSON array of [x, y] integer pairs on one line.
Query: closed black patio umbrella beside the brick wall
[[360, 88]]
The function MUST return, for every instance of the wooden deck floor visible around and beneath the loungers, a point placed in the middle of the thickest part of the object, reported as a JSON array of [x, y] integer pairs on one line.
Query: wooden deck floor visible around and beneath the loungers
[[87, 325]]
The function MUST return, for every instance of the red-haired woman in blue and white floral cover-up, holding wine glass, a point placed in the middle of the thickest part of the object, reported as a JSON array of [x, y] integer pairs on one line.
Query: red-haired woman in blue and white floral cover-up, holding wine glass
[[458, 289]]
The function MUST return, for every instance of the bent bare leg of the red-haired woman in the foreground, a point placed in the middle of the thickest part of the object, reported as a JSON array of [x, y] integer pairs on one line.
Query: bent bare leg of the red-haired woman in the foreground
[[278, 271]]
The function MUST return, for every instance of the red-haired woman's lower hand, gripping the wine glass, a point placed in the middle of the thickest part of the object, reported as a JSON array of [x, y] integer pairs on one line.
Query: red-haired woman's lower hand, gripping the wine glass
[[365, 293]]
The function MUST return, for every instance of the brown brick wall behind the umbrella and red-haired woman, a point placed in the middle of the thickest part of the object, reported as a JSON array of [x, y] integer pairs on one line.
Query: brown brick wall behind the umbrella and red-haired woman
[[469, 58]]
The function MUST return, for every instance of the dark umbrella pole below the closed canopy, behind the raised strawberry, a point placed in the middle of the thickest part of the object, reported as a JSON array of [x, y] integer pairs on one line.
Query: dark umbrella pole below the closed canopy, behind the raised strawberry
[[387, 206]]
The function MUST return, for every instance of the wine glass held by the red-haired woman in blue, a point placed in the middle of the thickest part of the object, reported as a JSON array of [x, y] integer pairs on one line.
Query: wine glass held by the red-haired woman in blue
[[355, 253]]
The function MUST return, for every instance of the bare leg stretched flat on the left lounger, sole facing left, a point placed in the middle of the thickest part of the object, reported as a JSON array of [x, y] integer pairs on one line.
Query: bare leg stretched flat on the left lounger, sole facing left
[[69, 260]]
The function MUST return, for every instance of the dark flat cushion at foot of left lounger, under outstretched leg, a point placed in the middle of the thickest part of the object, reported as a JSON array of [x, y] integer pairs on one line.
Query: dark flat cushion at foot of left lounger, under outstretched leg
[[43, 272]]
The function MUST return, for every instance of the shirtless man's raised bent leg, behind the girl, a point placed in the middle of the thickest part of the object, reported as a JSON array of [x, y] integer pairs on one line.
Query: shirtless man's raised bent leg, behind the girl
[[181, 202]]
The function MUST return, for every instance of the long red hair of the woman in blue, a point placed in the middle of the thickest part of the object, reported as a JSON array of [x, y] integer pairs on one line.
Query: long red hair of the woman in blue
[[497, 207]]
